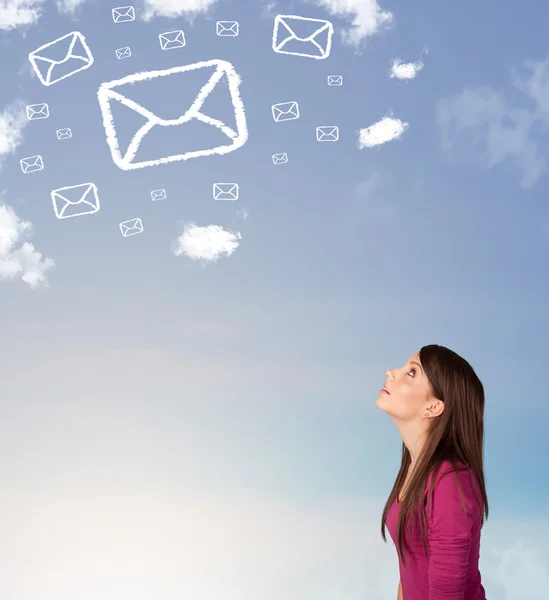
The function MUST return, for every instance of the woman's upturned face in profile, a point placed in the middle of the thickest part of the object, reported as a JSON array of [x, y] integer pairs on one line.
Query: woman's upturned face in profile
[[409, 391]]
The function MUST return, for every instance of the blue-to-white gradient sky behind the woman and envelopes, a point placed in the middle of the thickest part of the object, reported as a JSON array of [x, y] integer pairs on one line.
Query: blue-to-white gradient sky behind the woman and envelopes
[[171, 427]]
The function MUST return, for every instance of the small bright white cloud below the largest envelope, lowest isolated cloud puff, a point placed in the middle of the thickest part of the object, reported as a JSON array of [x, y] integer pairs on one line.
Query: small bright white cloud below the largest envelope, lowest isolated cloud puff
[[205, 243]]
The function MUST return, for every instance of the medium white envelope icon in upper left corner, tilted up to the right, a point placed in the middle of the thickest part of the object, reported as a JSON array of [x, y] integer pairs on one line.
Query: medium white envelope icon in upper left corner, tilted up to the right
[[61, 58]]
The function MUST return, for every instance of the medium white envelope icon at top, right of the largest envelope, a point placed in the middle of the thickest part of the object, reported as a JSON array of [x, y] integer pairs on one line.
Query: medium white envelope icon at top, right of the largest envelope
[[300, 36]]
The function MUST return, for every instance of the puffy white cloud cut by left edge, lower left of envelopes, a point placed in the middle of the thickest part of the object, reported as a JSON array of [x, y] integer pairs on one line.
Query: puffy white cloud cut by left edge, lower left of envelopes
[[19, 259]]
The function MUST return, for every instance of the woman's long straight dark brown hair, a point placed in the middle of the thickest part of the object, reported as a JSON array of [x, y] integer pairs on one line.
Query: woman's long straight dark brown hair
[[457, 436]]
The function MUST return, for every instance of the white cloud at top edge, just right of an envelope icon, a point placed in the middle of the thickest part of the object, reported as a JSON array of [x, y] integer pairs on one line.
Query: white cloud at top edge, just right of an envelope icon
[[367, 17]]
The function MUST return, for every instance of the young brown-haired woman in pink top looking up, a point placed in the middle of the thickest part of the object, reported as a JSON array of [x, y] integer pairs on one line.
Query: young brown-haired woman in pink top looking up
[[438, 503]]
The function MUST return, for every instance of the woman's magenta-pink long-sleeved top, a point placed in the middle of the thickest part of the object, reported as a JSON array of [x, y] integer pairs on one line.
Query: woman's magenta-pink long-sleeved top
[[453, 539]]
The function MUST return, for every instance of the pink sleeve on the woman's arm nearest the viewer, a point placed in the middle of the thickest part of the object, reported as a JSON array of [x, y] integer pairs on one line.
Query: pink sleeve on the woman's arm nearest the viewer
[[449, 533]]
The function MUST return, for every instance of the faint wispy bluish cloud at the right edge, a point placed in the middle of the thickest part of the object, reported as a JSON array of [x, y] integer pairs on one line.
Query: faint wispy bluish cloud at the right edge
[[499, 129]]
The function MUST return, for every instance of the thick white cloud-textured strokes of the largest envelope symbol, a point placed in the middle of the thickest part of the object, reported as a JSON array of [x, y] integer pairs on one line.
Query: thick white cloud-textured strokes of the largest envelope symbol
[[224, 71]]
